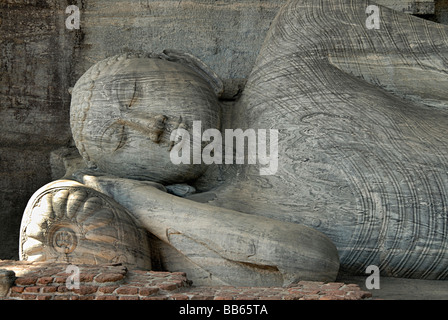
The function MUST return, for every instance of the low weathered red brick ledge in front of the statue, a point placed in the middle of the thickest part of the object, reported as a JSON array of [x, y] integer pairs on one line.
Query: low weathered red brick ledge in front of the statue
[[47, 281]]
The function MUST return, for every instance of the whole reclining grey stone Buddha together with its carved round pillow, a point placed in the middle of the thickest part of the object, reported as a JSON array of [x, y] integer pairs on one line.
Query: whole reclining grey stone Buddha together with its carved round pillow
[[361, 172]]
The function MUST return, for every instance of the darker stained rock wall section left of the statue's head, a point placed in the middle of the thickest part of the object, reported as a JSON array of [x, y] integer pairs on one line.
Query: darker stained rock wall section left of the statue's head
[[35, 70]]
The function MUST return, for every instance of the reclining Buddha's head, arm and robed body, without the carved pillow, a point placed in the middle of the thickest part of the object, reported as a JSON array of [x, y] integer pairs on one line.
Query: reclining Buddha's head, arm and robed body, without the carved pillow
[[331, 176]]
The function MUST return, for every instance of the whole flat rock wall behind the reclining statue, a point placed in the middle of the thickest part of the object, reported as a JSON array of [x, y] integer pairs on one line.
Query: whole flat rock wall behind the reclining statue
[[40, 59]]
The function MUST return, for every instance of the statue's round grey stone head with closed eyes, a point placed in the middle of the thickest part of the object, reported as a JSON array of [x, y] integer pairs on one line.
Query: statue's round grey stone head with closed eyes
[[131, 110]]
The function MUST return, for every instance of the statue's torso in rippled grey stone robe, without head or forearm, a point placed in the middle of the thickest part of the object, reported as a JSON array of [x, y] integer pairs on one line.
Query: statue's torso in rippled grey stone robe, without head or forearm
[[362, 116]]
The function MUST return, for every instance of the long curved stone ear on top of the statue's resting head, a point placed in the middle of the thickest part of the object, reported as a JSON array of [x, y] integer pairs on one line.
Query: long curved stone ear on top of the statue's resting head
[[197, 65]]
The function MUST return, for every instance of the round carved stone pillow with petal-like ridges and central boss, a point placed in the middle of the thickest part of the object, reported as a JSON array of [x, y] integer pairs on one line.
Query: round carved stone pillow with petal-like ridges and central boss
[[66, 222]]
